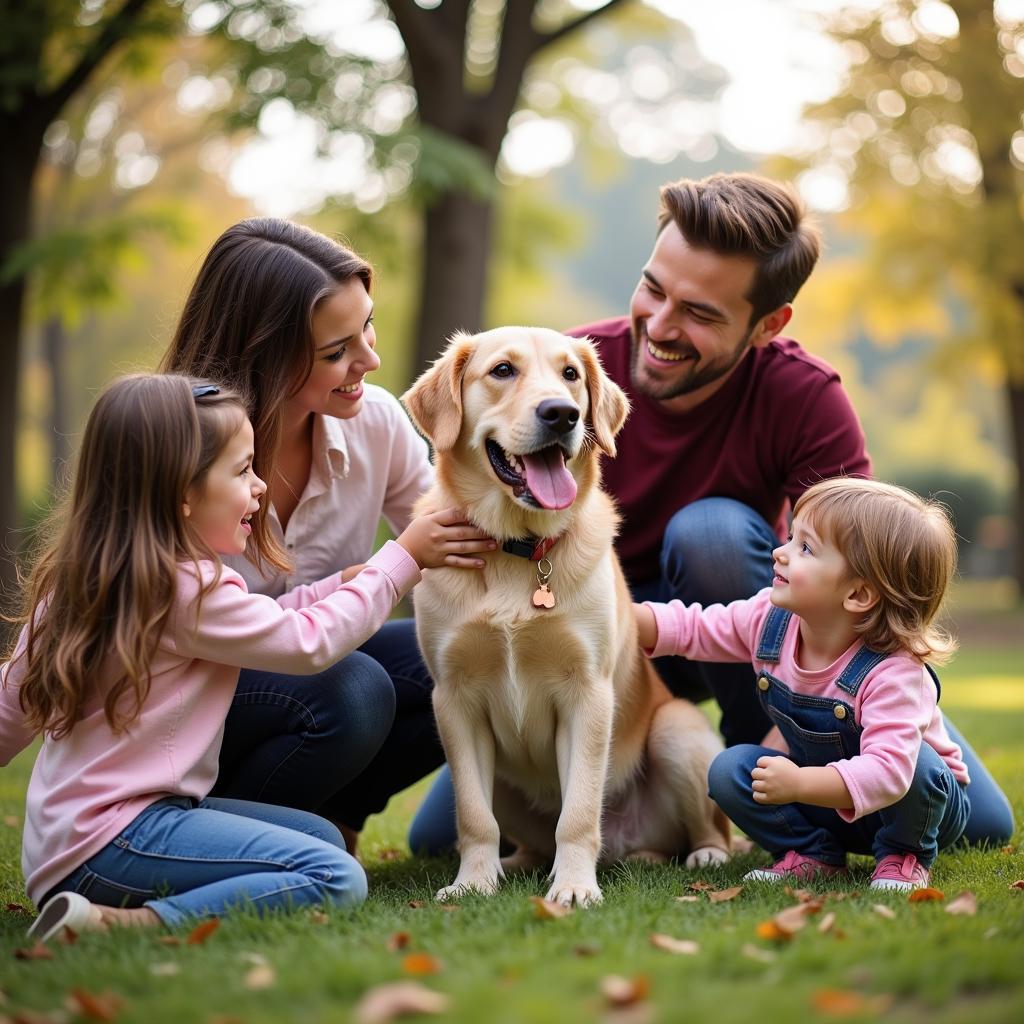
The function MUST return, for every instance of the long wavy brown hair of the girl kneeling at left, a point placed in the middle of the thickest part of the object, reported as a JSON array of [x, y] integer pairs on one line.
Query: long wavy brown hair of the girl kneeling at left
[[99, 599]]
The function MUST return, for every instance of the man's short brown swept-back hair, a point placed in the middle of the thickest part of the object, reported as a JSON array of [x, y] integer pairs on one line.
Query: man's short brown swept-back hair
[[752, 217]]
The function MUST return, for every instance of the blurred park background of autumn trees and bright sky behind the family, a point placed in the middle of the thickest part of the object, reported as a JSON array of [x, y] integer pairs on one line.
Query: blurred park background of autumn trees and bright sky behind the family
[[498, 161]]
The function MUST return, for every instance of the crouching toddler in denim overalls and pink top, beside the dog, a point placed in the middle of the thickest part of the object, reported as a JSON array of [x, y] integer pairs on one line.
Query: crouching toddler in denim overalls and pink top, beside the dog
[[840, 644]]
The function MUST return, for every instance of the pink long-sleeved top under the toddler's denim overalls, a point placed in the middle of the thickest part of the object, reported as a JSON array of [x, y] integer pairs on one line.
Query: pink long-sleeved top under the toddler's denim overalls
[[895, 706]]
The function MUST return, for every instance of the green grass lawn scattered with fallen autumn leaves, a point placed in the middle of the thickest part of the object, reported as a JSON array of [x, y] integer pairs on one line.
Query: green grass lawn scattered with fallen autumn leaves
[[502, 964]]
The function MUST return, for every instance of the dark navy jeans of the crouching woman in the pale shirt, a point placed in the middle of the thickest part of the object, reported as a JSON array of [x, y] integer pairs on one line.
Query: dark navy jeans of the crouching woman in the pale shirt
[[340, 743]]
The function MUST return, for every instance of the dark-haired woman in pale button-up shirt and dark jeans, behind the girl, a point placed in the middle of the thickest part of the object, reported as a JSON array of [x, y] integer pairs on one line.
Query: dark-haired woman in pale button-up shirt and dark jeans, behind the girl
[[285, 315]]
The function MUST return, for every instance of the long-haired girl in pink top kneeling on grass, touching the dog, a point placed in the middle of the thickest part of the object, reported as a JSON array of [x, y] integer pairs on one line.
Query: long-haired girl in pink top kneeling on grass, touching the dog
[[130, 659]]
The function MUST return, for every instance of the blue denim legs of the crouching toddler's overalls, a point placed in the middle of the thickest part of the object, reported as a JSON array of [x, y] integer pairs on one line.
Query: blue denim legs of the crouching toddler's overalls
[[929, 819]]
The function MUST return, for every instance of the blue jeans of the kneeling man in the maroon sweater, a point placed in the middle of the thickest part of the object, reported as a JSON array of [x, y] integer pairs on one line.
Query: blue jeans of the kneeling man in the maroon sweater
[[719, 550]]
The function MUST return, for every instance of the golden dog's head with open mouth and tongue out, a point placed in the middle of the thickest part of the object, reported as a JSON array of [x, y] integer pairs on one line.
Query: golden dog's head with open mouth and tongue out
[[524, 411]]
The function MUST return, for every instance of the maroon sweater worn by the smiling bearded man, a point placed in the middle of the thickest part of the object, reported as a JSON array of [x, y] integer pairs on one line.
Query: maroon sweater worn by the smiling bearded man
[[781, 423]]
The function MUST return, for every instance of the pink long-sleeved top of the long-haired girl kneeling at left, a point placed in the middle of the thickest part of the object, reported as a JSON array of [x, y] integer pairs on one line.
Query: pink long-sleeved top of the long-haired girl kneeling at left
[[90, 786]]
